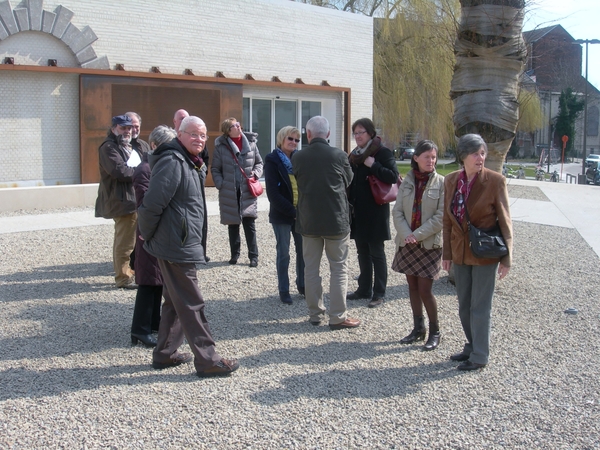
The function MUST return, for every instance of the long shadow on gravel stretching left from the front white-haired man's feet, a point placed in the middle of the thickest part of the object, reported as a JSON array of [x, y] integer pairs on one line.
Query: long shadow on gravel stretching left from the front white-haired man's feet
[[26, 383]]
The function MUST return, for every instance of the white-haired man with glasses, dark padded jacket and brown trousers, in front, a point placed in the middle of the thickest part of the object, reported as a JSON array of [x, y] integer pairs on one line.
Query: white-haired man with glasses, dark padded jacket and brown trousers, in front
[[170, 221]]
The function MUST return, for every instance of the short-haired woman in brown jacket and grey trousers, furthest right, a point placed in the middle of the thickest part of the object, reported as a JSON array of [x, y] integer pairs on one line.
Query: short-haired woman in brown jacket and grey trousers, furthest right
[[481, 193]]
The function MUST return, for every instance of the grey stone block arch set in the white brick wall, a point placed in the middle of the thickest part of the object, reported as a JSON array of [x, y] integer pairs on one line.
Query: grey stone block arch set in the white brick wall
[[33, 17]]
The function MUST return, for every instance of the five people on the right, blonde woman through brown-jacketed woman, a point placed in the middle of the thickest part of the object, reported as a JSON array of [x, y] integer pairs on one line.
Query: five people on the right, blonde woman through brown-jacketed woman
[[322, 198]]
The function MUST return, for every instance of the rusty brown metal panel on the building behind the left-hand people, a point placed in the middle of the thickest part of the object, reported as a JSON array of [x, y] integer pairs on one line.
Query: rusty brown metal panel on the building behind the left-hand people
[[156, 101]]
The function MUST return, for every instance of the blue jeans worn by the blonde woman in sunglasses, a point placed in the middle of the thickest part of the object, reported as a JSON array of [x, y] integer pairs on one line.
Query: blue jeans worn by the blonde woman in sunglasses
[[282, 237]]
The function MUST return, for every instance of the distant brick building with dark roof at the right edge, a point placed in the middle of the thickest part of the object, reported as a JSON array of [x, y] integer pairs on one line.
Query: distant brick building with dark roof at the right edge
[[554, 63]]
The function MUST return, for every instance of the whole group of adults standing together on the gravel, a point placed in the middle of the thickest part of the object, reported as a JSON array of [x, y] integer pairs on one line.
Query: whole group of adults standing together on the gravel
[[319, 196]]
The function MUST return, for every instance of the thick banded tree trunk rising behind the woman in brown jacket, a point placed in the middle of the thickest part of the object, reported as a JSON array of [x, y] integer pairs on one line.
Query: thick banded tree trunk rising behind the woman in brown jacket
[[490, 53]]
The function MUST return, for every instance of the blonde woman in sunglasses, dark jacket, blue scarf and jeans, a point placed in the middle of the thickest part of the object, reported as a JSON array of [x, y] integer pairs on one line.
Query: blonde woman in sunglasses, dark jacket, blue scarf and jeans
[[283, 197]]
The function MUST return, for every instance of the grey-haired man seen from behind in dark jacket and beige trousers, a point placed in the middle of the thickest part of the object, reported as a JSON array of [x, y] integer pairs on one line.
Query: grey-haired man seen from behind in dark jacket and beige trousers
[[323, 174]]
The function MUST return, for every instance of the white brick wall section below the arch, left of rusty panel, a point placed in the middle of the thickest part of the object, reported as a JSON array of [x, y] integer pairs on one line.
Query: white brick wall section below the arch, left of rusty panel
[[39, 123]]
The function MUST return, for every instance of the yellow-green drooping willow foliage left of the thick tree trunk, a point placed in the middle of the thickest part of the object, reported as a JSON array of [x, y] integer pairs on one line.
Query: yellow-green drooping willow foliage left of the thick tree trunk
[[413, 64]]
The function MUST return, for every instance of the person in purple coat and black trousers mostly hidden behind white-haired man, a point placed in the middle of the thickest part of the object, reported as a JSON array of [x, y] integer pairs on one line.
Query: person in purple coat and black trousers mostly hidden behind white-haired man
[[146, 312]]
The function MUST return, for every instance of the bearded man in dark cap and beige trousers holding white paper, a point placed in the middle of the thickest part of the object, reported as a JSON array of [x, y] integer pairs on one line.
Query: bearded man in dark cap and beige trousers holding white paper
[[116, 197]]
